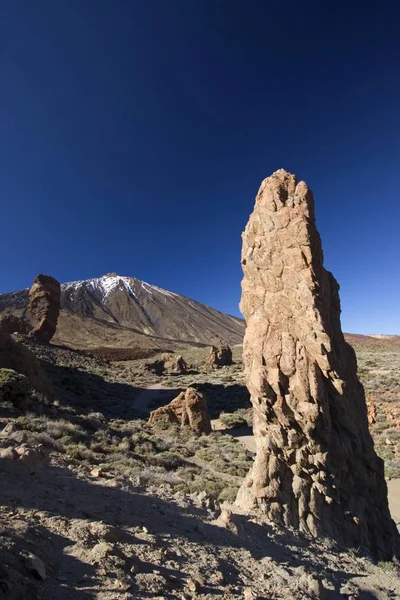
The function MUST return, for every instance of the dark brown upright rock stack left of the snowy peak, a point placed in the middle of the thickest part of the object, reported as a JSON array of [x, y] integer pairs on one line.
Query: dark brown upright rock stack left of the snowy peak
[[44, 306]]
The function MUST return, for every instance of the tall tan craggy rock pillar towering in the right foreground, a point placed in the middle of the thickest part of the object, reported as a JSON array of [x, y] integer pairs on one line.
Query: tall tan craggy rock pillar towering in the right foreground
[[315, 468]]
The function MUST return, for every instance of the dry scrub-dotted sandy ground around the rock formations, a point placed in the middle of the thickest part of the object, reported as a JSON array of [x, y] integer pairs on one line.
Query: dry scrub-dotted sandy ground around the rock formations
[[117, 509]]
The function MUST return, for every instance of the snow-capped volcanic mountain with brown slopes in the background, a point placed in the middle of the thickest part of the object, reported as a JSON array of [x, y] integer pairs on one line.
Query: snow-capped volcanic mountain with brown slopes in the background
[[118, 312]]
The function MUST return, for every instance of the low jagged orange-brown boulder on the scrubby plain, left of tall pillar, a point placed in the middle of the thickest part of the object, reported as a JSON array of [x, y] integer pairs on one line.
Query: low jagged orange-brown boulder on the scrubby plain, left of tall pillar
[[189, 408]]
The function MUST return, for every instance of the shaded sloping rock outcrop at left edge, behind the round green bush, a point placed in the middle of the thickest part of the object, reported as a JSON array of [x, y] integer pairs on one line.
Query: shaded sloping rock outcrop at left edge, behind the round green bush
[[15, 355]]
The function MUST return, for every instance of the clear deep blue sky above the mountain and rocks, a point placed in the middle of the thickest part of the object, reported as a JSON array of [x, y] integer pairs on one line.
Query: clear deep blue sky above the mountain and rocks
[[134, 136]]
